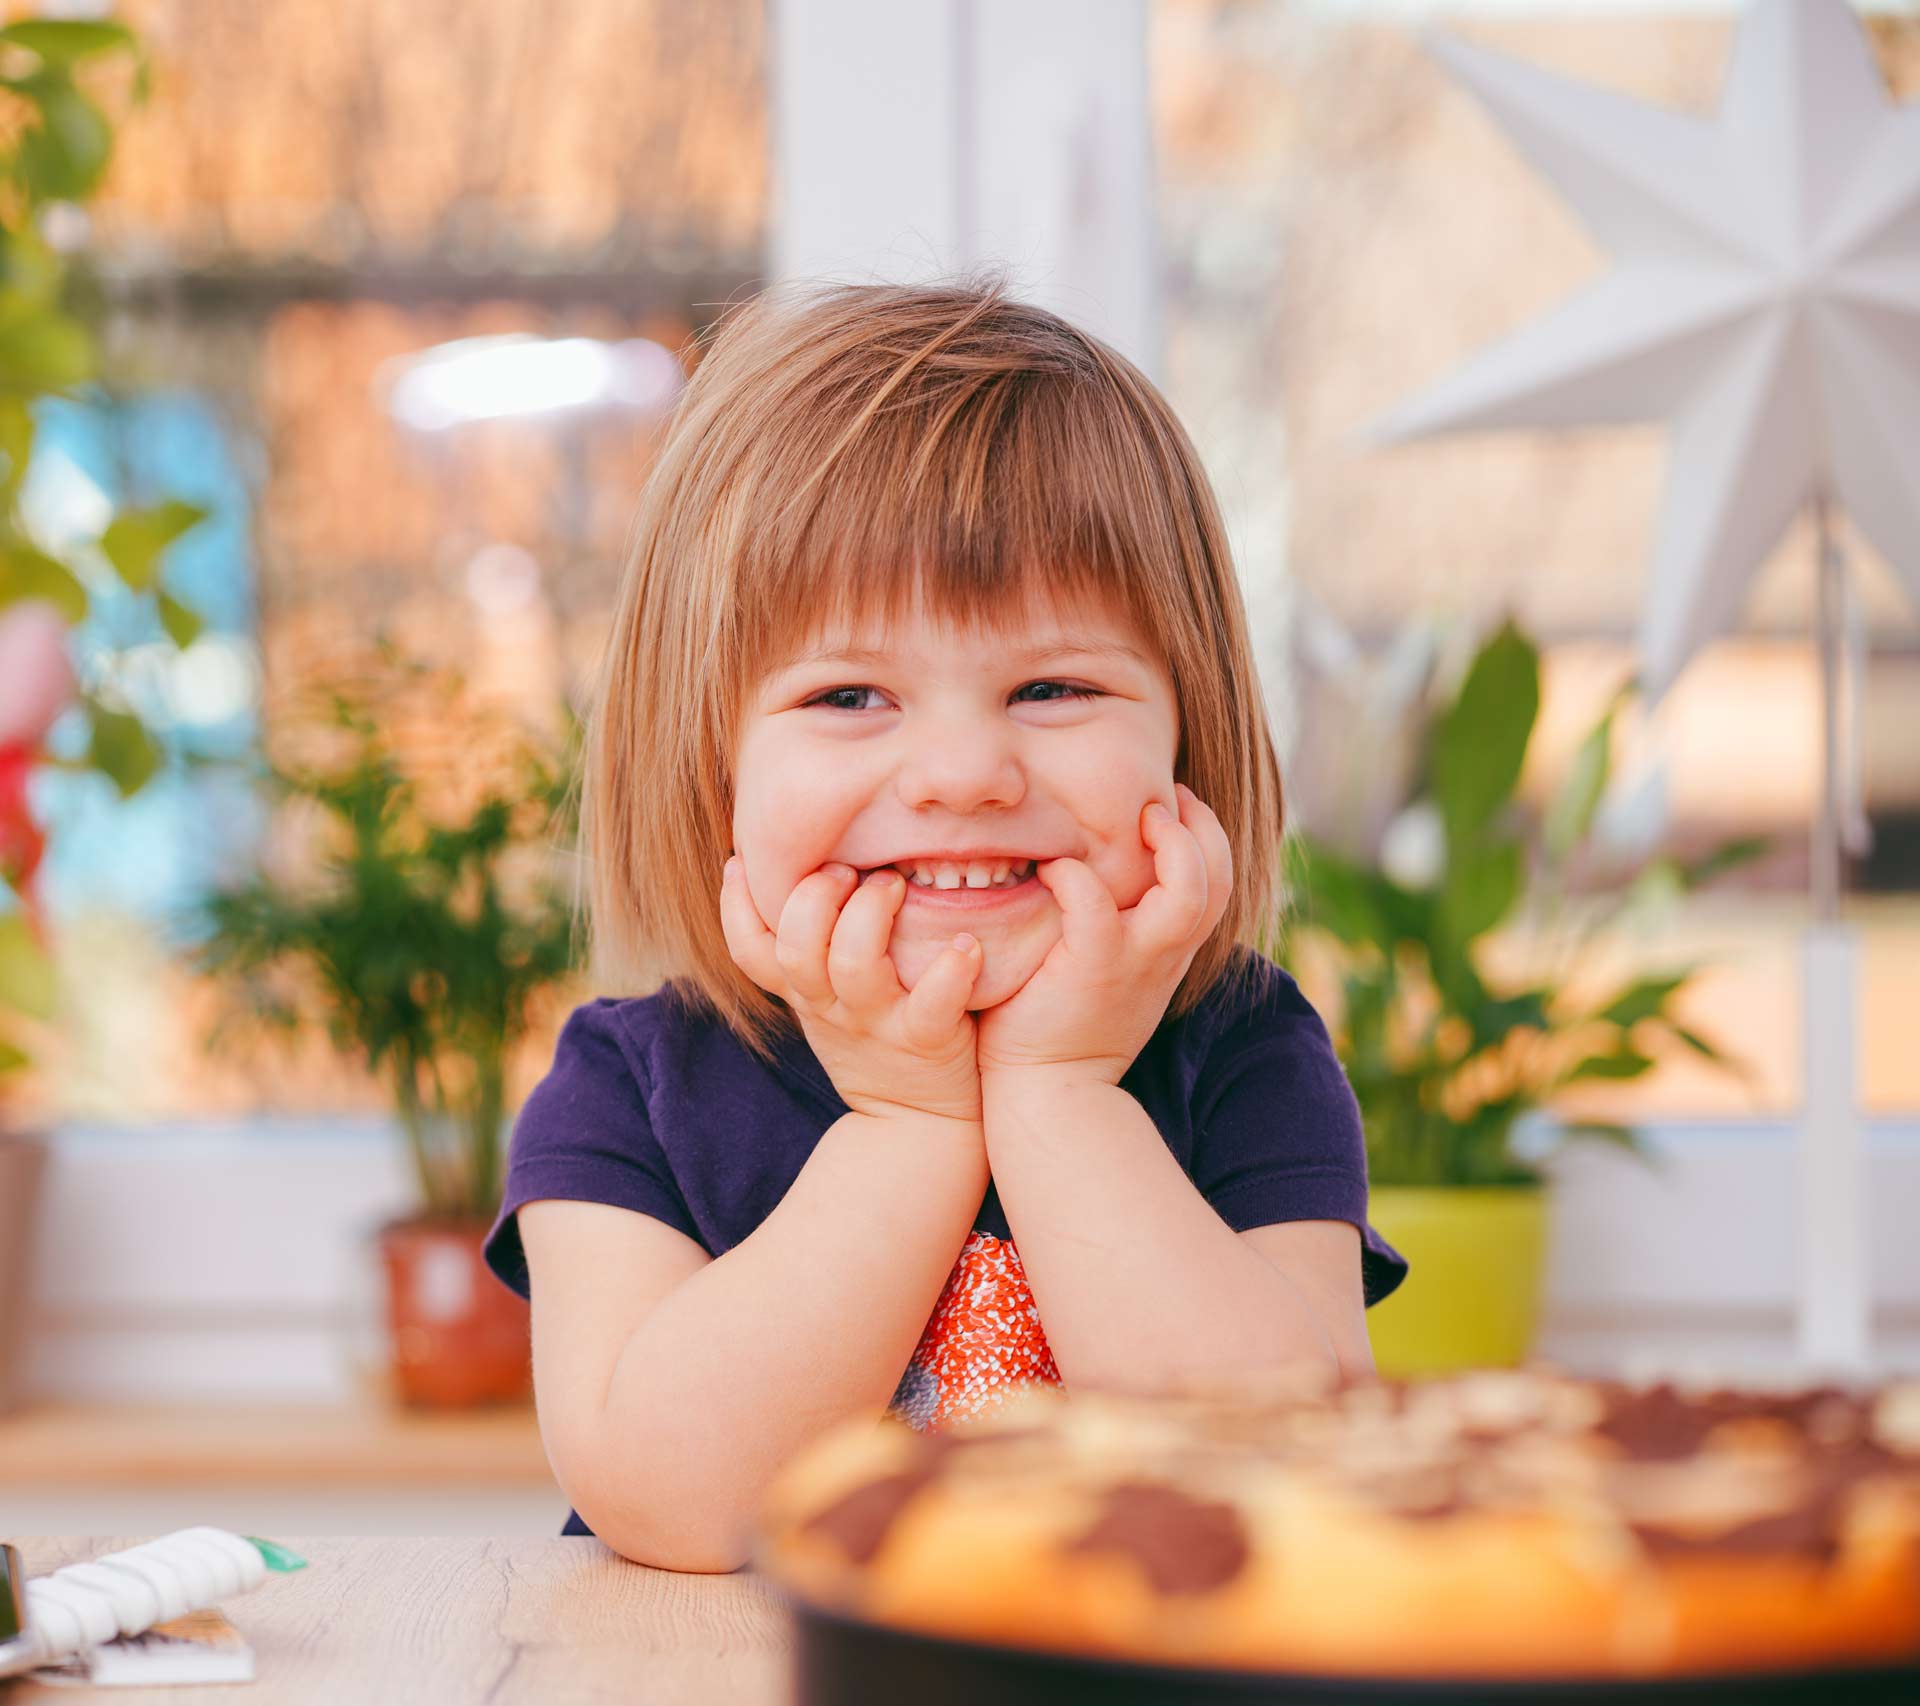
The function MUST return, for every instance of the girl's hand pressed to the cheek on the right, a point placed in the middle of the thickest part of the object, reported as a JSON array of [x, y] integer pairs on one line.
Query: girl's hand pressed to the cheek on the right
[[1107, 983]]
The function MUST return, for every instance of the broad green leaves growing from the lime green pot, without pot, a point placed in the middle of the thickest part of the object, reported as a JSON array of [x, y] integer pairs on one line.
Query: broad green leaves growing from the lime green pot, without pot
[[1445, 1058]]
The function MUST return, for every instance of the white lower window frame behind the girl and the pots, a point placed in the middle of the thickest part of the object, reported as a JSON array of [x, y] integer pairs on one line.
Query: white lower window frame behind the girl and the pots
[[235, 1260]]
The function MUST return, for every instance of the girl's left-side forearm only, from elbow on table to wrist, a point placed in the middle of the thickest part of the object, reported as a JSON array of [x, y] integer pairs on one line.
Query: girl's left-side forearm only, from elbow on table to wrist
[[805, 1323]]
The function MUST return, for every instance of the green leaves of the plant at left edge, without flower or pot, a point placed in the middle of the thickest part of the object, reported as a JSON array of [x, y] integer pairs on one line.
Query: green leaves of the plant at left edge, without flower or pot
[[57, 153]]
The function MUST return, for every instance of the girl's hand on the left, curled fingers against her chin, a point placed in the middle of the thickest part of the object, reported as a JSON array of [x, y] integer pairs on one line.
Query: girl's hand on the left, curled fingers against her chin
[[886, 1049]]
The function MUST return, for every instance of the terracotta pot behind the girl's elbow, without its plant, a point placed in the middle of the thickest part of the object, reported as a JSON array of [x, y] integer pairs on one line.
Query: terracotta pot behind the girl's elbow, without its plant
[[458, 1337]]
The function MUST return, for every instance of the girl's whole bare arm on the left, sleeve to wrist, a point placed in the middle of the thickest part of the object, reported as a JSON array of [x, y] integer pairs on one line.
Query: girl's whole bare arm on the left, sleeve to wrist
[[669, 1410]]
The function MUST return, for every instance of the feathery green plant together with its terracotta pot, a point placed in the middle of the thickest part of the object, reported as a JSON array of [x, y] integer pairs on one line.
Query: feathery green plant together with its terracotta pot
[[423, 936]]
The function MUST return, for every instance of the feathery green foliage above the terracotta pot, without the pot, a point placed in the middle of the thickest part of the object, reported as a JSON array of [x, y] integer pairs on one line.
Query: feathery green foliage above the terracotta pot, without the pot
[[421, 943]]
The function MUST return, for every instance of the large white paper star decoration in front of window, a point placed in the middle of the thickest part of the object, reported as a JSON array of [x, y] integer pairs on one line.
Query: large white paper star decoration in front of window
[[1765, 300]]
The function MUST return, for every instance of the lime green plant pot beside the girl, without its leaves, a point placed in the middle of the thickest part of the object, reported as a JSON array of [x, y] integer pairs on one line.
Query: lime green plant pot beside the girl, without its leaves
[[1476, 1271]]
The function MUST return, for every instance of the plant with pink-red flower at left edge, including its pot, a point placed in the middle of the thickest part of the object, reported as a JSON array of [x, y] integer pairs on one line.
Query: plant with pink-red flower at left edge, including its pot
[[55, 154]]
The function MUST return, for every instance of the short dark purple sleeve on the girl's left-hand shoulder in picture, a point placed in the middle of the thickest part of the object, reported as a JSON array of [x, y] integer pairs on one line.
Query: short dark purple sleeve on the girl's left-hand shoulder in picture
[[585, 1135]]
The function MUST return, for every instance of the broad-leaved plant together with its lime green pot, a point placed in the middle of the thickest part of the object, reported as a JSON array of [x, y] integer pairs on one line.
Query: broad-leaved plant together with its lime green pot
[[1447, 1054]]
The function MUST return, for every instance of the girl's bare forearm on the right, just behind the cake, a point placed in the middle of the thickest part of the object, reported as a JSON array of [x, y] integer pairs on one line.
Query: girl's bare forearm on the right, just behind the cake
[[1138, 1279]]
